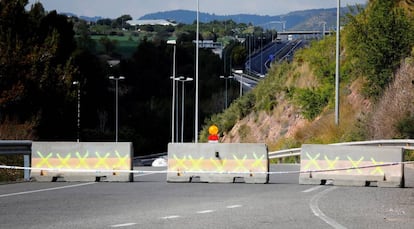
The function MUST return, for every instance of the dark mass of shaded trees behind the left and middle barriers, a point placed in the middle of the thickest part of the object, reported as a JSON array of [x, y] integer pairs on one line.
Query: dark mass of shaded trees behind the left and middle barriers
[[43, 53]]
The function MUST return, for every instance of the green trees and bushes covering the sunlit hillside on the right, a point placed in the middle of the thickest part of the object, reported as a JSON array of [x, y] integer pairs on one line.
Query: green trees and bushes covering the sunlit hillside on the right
[[375, 43]]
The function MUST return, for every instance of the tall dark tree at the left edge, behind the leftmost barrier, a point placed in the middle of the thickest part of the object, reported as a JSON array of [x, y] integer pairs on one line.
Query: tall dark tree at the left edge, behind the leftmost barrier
[[36, 70]]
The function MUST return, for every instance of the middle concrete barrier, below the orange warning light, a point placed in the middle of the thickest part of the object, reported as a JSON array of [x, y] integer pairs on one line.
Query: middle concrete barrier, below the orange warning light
[[218, 162]]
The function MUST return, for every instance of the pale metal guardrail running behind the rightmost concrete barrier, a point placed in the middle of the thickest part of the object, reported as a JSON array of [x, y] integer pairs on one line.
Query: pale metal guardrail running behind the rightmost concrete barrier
[[405, 143]]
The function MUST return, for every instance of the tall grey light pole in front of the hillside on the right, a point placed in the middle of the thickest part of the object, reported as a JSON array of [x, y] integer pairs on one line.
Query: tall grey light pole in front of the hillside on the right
[[337, 72]]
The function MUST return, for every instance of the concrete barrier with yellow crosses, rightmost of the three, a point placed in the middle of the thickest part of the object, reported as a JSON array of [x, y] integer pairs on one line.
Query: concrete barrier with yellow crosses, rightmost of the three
[[352, 165]]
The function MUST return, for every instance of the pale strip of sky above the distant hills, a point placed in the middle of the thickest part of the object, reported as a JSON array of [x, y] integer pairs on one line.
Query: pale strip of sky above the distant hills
[[138, 8]]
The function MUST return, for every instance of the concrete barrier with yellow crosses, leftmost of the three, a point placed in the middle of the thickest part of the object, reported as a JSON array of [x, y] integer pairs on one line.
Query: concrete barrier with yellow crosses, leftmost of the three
[[81, 161]]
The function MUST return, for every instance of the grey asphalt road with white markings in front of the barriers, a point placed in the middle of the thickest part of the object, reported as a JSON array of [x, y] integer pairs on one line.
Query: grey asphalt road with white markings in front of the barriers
[[150, 202]]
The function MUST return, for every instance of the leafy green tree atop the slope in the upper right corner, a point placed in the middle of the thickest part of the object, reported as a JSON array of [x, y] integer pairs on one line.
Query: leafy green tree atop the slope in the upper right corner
[[378, 39]]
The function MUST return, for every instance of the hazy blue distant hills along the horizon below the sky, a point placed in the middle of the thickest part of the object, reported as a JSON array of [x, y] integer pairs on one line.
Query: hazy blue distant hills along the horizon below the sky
[[305, 19]]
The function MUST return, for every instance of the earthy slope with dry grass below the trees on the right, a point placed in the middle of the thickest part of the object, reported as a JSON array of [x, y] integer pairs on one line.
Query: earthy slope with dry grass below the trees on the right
[[276, 120]]
